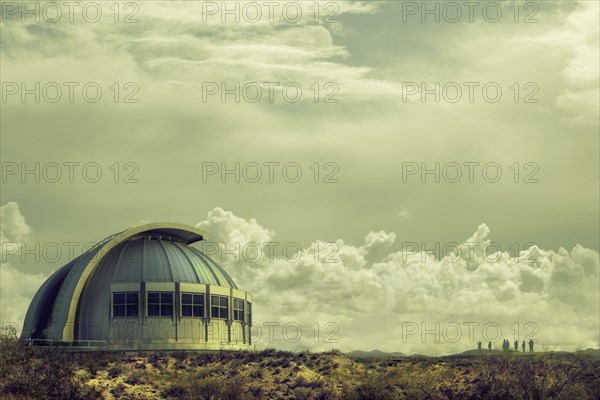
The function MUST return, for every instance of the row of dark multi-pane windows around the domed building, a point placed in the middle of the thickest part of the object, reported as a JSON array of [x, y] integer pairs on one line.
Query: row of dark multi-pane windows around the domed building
[[160, 304]]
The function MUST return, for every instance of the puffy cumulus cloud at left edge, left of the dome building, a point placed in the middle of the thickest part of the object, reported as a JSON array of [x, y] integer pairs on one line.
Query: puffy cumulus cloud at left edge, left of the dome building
[[17, 288]]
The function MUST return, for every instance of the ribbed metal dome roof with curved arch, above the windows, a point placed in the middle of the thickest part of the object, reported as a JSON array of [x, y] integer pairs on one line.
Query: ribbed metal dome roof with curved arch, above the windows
[[154, 252]]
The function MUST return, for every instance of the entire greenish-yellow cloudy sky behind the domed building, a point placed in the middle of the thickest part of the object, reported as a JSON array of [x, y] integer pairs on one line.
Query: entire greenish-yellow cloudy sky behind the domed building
[[360, 98]]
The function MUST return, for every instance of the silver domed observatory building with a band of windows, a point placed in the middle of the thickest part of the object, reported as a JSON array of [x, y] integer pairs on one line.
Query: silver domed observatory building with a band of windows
[[144, 288]]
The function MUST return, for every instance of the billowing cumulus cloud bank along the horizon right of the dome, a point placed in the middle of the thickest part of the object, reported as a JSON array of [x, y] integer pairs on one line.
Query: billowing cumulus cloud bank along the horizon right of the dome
[[373, 297]]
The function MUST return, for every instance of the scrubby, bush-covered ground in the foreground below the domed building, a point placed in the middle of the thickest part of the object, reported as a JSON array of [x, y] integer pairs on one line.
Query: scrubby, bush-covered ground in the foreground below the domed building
[[27, 373]]
